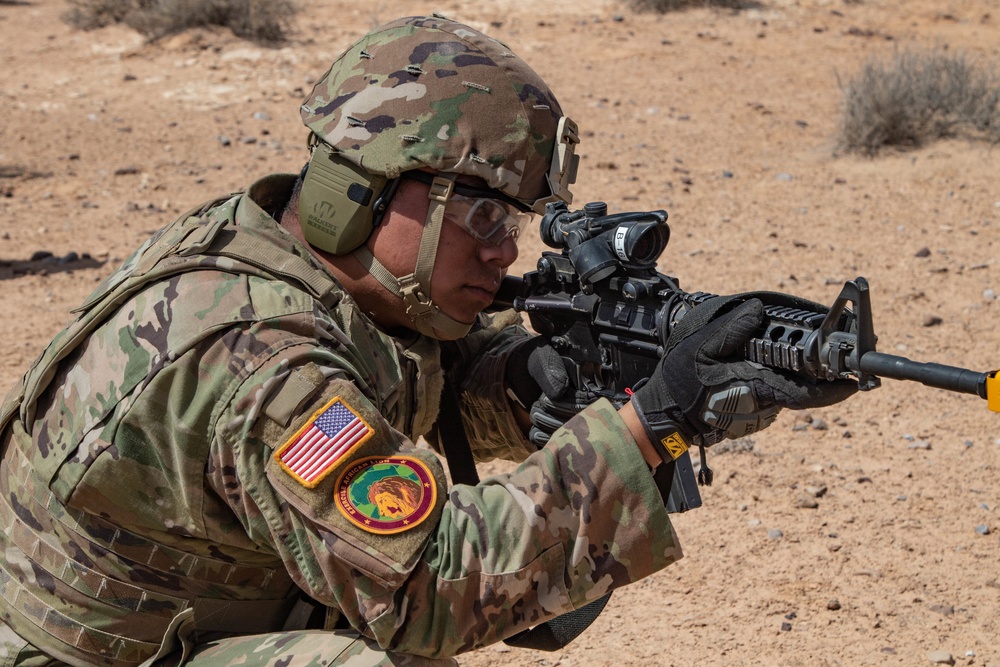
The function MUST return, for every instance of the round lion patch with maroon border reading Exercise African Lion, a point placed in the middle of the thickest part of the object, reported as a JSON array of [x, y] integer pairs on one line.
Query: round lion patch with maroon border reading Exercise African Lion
[[386, 494]]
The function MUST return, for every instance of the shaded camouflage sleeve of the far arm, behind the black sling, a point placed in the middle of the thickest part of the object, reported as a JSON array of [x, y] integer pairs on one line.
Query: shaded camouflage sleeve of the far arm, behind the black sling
[[479, 371]]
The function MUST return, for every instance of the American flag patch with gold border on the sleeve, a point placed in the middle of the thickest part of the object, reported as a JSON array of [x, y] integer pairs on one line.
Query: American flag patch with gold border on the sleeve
[[331, 433]]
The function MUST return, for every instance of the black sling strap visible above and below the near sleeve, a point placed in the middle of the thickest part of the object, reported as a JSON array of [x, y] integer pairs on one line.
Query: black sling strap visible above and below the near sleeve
[[556, 633]]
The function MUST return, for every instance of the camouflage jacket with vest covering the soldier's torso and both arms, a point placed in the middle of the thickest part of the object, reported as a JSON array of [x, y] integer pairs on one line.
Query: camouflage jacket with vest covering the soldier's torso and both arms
[[222, 429]]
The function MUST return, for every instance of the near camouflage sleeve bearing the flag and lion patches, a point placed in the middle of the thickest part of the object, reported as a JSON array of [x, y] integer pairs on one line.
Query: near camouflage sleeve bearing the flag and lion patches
[[364, 522]]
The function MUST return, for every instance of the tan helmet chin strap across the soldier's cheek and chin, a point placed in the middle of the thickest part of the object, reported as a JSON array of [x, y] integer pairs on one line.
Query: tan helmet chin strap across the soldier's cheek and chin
[[415, 288]]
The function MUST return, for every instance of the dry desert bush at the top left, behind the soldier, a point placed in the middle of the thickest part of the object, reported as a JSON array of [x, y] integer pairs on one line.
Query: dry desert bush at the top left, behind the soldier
[[264, 21]]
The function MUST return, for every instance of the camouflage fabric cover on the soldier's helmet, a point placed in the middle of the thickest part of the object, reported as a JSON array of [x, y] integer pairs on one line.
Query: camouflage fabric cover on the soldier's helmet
[[431, 92]]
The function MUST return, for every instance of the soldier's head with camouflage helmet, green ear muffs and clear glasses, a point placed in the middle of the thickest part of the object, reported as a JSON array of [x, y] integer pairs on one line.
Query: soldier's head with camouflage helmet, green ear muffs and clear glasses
[[434, 114]]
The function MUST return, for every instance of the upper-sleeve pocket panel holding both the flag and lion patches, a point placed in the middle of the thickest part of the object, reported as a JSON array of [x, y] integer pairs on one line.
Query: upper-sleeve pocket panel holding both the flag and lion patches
[[347, 471]]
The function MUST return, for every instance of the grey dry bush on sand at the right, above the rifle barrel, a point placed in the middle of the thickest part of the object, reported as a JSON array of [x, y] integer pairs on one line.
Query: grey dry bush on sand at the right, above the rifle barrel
[[915, 97]]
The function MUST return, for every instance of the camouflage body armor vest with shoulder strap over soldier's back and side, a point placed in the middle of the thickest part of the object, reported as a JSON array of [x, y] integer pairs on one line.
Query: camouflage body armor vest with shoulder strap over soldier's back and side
[[91, 592]]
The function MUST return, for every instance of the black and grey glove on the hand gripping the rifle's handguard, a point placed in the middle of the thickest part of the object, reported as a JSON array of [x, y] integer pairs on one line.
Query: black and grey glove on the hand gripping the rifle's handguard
[[703, 391]]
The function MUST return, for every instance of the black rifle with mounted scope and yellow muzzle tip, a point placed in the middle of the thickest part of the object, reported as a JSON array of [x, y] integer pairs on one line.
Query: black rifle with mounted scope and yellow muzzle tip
[[603, 306]]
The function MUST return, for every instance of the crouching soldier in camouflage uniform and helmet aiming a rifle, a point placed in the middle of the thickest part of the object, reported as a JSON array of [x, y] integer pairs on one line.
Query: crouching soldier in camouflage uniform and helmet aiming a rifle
[[214, 463]]
